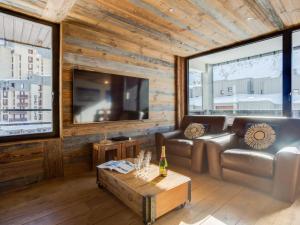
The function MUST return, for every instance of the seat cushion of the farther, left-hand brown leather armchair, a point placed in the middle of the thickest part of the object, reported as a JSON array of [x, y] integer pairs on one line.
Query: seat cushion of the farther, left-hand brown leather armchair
[[179, 147]]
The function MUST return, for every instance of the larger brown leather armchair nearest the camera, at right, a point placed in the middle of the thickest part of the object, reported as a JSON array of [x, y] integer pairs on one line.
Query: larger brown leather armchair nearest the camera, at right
[[275, 170]]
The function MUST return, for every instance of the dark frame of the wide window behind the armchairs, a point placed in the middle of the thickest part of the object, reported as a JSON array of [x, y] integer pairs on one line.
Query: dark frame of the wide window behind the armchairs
[[286, 64]]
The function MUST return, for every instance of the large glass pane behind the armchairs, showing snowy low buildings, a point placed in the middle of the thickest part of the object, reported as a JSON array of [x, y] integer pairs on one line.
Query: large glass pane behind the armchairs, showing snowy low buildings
[[241, 81]]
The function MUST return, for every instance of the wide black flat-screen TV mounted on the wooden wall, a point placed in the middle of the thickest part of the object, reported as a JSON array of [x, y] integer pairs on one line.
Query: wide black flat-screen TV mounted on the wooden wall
[[99, 97]]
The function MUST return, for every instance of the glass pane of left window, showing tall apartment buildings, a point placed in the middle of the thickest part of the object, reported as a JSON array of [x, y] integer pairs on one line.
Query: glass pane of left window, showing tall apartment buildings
[[25, 88]]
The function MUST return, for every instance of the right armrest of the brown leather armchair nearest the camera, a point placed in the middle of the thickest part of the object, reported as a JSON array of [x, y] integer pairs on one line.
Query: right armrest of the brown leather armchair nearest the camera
[[286, 174]]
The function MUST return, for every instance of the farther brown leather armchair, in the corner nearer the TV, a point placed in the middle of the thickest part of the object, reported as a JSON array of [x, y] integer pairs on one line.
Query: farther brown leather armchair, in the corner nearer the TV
[[190, 153]]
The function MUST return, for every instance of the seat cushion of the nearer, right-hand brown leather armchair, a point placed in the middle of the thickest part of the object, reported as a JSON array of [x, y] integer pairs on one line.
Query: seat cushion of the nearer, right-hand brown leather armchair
[[248, 161]]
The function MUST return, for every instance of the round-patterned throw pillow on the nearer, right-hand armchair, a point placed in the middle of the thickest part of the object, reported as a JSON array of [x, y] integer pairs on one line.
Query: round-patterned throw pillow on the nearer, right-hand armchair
[[260, 136]]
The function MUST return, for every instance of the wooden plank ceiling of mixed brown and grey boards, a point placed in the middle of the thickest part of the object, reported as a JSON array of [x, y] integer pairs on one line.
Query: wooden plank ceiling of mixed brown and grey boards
[[177, 27]]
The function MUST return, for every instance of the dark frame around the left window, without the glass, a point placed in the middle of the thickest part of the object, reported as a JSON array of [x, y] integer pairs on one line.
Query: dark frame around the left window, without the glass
[[55, 80]]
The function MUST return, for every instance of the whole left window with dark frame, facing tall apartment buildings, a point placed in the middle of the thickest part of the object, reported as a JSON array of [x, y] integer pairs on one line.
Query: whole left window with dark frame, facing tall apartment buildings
[[20, 75]]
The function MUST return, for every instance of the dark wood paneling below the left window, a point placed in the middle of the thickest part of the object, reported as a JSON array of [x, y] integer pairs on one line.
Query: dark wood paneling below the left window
[[28, 162]]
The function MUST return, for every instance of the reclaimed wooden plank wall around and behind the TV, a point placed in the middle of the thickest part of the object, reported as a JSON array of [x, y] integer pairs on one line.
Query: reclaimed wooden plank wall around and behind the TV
[[99, 50]]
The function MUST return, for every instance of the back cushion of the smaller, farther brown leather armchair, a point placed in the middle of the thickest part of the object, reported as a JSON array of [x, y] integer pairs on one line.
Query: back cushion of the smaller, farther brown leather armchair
[[214, 124]]
